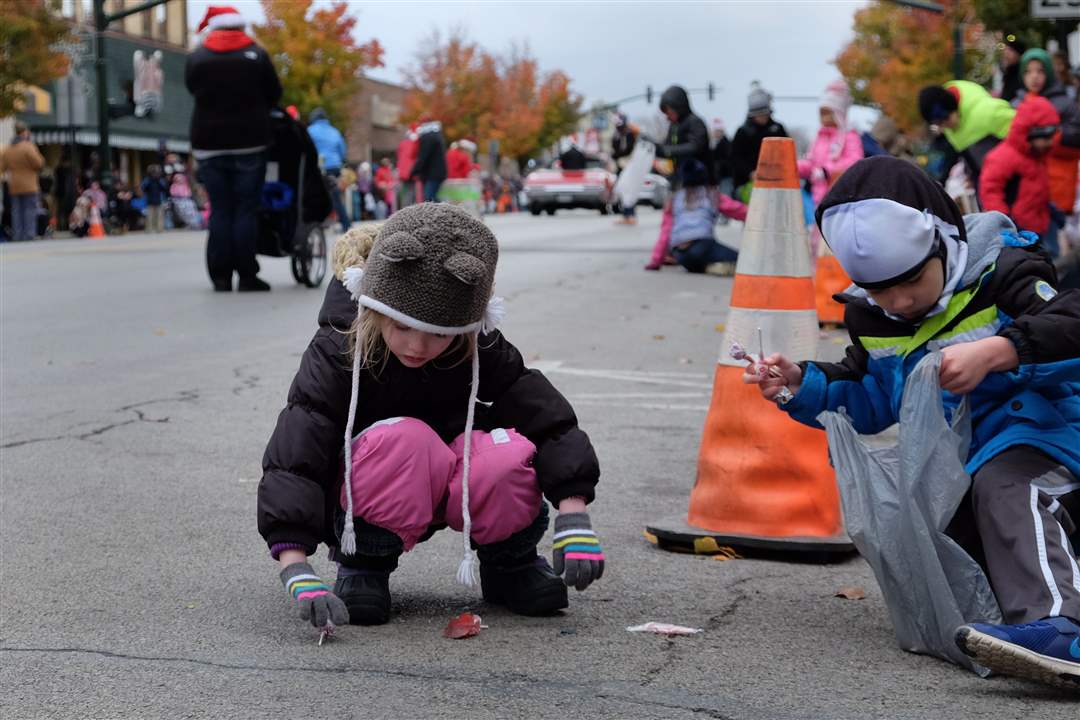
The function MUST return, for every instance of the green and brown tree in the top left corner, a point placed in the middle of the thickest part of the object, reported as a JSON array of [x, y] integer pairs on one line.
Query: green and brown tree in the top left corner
[[30, 30]]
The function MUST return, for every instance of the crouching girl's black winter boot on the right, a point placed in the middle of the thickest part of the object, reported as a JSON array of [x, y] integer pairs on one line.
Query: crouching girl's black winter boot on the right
[[530, 588]]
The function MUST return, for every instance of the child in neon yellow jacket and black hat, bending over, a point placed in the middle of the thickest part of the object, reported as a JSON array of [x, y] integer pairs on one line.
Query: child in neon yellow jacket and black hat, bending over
[[973, 121]]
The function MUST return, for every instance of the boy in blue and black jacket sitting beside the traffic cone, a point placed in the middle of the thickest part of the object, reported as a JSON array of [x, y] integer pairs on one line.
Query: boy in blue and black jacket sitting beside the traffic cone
[[927, 279]]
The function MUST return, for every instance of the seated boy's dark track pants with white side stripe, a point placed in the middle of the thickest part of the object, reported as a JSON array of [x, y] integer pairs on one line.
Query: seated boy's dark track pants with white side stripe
[[1021, 522]]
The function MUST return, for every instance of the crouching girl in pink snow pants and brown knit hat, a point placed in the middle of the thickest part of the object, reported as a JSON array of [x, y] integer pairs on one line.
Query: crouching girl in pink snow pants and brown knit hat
[[423, 350]]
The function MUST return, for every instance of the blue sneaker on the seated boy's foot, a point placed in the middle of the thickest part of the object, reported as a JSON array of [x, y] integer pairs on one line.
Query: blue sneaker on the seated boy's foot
[[1046, 651]]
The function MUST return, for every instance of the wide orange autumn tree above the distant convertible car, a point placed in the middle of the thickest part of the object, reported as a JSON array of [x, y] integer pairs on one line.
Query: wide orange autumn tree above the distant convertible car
[[479, 97]]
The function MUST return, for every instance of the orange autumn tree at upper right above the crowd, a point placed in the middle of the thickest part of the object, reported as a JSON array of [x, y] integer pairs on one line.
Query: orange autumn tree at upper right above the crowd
[[898, 51]]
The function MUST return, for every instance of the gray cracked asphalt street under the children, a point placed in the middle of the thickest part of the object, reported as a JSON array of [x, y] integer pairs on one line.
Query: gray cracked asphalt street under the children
[[137, 404]]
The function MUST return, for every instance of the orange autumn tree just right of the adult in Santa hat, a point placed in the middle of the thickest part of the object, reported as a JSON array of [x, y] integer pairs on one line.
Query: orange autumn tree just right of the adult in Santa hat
[[316, 56]]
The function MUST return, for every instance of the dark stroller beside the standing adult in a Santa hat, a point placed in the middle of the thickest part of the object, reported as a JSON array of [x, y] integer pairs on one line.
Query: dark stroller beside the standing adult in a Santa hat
[[295, 202]]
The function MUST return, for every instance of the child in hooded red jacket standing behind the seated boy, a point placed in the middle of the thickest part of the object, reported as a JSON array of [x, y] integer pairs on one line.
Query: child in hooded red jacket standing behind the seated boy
[[1015, 180]]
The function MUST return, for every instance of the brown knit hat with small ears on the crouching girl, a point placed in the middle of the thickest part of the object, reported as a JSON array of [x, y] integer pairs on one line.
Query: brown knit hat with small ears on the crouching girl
[[431, 268]]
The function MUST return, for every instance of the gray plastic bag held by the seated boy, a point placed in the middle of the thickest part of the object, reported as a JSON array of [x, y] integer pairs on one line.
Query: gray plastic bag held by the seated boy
[[898, 501]]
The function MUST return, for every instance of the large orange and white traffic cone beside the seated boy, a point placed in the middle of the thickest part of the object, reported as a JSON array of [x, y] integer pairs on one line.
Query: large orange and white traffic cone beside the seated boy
[[764, 480]]
